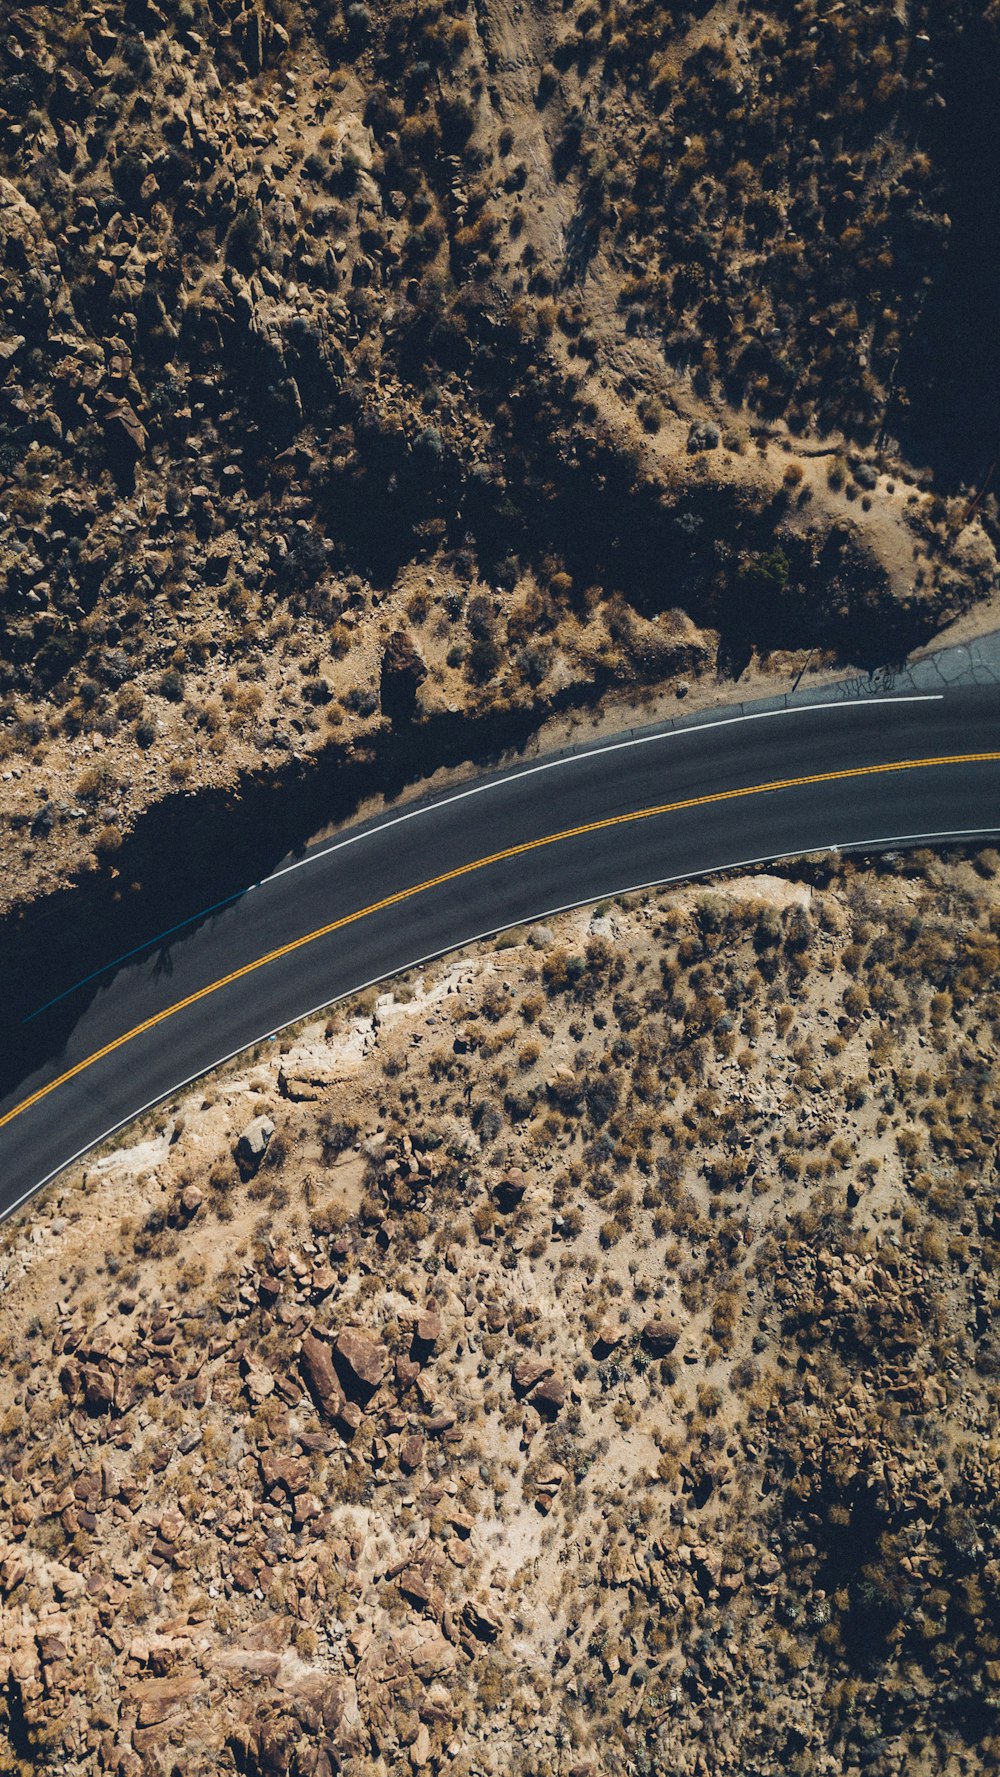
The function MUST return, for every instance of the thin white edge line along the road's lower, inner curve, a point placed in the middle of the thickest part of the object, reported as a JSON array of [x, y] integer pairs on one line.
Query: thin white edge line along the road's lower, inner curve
[[461, 944]]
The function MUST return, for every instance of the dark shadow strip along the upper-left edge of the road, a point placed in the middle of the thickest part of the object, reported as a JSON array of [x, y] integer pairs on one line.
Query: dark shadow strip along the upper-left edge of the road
[[194, 850]]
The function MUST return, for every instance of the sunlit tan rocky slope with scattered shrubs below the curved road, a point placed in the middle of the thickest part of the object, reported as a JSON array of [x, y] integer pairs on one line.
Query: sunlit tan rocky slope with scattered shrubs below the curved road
[[582, 1360]]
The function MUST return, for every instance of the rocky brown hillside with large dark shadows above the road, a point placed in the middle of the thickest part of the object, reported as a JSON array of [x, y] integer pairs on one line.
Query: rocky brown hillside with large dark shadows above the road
[[376, 362]]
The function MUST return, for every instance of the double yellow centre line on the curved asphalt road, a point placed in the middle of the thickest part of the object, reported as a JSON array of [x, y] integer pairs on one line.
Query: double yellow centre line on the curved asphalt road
[[480, 865]]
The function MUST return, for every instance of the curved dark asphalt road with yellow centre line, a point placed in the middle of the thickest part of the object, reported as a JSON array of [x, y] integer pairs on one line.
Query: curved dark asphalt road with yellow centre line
[[511, 849]]
